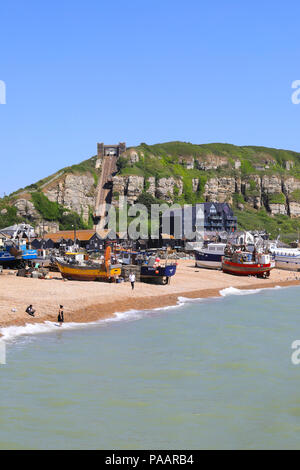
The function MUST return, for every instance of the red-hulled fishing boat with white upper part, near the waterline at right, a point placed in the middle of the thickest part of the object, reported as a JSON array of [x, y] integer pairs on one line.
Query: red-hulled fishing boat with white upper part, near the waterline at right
[[245, 263]]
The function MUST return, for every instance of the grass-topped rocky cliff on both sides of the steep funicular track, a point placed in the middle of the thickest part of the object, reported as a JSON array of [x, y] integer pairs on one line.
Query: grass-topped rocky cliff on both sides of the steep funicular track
[[249, 177]]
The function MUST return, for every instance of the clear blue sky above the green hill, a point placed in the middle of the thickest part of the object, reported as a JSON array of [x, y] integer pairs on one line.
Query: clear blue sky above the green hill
[[82, 72]]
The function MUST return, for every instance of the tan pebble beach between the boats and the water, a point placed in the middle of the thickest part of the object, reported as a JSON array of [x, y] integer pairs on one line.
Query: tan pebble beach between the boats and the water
[[91, 301]]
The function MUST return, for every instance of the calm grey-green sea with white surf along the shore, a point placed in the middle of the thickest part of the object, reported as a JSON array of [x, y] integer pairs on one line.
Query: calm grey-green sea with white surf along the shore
[[216, 373]]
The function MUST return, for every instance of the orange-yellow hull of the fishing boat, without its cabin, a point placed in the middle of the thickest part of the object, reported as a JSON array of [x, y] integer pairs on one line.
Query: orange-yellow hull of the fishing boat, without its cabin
[[88, 273]]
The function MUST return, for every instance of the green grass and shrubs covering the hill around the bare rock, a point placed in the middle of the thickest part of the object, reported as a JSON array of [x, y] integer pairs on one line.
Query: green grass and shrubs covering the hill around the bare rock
[[170, 159]]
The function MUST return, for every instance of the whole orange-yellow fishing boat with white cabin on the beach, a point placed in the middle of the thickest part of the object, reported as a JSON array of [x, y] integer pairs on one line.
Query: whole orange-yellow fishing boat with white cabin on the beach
[[74, 267]]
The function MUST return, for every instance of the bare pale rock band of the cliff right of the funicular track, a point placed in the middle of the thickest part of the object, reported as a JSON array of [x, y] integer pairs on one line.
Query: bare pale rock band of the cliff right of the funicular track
[[257, 191]]
